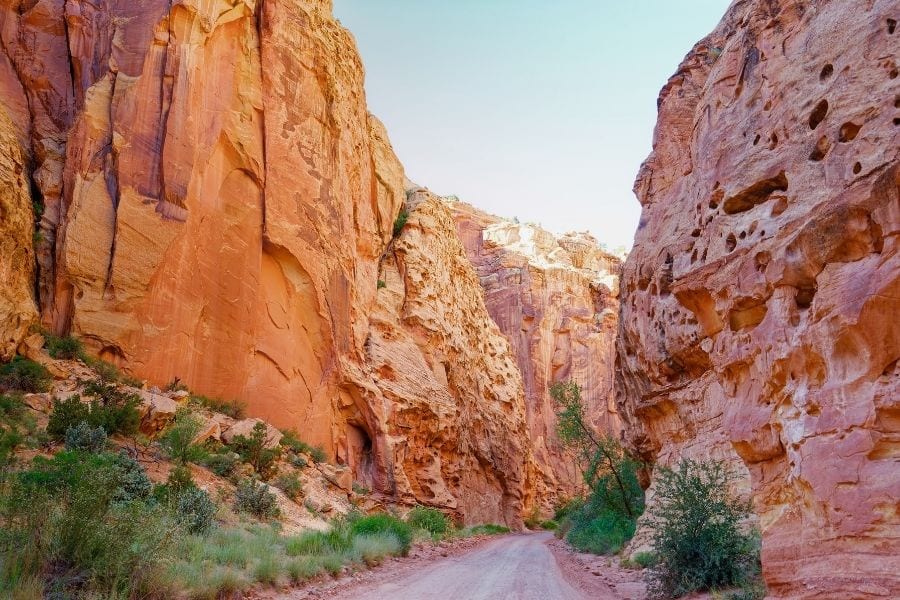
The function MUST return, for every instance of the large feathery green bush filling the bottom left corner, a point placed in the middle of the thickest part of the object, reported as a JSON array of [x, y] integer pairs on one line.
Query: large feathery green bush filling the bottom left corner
[[80, 518]]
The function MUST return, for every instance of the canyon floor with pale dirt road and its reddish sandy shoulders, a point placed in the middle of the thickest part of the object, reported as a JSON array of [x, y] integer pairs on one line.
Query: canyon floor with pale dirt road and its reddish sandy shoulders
[[532, 566]]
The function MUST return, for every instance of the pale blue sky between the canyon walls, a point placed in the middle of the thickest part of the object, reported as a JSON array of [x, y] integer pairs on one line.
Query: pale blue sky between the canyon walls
[[536, 109]]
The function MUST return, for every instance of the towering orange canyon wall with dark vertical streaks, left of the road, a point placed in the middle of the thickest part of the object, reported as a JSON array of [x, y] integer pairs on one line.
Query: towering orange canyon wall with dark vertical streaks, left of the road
[[219, 208]]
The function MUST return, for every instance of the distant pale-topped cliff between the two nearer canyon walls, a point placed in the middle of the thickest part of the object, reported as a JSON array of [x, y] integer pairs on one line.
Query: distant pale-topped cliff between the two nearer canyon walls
[[556, 300]]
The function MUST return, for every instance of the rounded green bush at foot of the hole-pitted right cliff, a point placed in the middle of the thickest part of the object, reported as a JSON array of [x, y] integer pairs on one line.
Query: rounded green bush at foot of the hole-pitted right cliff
[[697, 532]]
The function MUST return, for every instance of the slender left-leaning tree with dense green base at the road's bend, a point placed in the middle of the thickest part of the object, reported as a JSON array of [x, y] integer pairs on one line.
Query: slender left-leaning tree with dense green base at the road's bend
[[604, 521]]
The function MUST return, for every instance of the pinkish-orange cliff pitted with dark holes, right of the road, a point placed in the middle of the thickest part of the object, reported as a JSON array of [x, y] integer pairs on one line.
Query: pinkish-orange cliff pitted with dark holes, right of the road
[[760, 305]]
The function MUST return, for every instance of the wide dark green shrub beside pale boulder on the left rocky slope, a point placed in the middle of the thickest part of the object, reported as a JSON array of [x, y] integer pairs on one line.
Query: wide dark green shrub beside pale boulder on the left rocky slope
[[110, 408]]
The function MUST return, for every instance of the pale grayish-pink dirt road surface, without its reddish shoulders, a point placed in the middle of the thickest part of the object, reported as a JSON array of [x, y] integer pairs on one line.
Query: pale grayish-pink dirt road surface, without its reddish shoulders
[[514, 567]]
